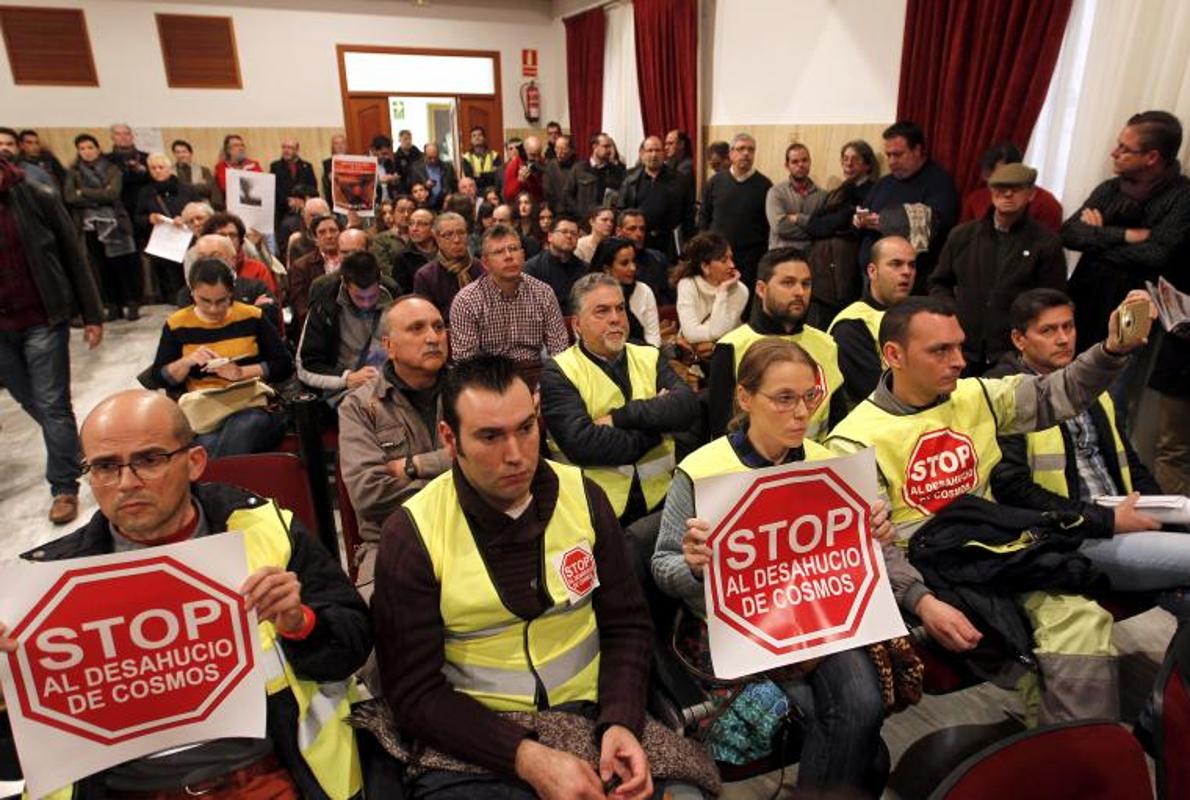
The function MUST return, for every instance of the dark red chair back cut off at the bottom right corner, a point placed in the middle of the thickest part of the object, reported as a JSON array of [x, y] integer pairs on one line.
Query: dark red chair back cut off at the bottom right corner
[[1173, 734]]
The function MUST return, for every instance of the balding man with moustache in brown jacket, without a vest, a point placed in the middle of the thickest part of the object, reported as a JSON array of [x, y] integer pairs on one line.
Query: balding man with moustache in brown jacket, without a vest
[[381, 470]]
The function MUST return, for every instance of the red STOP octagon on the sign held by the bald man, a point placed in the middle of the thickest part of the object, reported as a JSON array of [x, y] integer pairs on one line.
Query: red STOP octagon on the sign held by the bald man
[[118, 652]]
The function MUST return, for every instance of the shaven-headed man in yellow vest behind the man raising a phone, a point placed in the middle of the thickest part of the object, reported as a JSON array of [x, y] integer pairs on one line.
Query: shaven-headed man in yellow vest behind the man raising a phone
[[857, 328]]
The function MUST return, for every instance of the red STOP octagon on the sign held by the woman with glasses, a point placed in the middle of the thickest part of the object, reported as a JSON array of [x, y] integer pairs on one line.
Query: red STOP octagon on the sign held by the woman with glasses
[[793, 562]]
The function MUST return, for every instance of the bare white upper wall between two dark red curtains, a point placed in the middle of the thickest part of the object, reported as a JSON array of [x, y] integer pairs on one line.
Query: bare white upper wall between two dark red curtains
[[780, 62]]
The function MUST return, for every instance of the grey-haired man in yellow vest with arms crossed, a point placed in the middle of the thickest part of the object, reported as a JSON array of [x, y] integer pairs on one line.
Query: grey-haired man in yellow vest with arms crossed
[[613, 408]]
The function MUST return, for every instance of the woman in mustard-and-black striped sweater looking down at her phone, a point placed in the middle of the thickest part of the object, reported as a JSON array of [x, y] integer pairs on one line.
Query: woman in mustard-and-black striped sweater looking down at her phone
[[215, 343]]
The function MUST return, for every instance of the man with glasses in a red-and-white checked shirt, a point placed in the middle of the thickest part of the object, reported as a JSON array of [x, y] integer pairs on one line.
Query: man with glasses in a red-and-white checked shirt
[[506, 312]]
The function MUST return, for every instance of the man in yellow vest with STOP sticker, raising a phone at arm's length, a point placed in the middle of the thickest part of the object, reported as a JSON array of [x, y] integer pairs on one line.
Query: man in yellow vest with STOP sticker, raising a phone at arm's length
[[936, 441]]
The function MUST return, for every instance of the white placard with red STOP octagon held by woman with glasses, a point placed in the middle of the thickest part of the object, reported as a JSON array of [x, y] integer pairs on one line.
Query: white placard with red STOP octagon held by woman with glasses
[[794, 573]]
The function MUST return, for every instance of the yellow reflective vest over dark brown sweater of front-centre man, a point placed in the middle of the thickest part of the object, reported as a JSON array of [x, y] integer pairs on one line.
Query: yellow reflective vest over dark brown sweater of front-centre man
[[502, 660]]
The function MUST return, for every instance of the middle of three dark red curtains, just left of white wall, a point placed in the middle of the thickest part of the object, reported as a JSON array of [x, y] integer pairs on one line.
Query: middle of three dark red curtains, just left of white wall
[[667, 66]]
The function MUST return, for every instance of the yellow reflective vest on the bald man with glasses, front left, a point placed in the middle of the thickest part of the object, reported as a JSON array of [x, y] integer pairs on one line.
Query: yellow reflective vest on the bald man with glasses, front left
[[327, 742]]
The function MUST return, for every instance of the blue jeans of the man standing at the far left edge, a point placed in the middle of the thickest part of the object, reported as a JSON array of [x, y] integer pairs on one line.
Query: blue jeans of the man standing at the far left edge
[[35, 367]]
